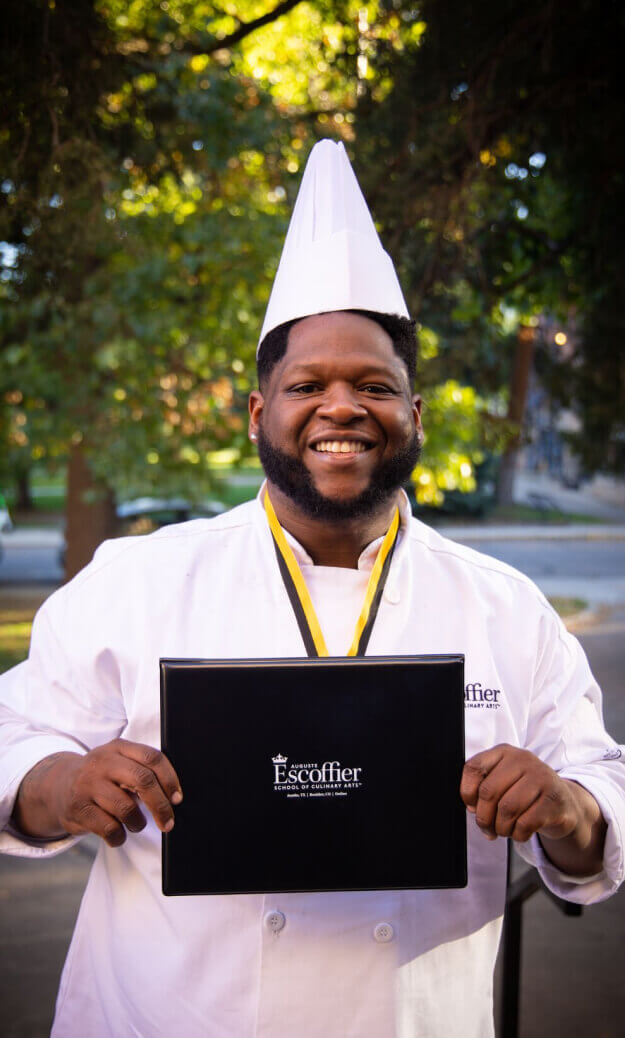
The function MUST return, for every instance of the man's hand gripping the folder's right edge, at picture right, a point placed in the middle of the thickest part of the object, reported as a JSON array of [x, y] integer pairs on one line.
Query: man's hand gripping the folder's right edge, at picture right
[[512, 794]]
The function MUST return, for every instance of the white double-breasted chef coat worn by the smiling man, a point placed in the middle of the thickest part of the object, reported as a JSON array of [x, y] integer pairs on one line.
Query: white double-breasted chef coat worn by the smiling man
[[316, 966]]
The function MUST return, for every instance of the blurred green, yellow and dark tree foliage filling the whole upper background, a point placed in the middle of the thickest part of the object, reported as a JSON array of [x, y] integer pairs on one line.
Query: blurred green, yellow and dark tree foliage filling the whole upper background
[[152, 153]]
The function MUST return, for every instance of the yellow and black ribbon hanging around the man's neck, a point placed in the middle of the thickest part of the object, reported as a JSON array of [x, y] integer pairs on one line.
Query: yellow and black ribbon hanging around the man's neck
[[301, 598]]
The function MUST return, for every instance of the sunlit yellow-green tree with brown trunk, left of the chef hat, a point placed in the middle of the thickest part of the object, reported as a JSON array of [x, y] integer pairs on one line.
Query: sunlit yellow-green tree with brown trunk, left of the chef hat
[[152, 152]]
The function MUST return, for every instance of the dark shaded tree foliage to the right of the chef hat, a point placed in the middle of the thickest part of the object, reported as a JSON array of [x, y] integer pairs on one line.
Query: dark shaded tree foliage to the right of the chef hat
[[501, 140]]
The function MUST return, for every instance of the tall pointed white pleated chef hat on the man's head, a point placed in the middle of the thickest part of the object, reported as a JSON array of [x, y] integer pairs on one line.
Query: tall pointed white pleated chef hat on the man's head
[[333, 258]]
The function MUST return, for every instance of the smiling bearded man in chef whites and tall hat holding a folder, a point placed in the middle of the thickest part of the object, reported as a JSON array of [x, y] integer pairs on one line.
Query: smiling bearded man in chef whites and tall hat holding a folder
[[339, 431]]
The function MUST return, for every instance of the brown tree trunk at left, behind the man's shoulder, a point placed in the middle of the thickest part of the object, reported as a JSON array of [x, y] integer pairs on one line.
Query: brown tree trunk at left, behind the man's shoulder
[[91, 513]]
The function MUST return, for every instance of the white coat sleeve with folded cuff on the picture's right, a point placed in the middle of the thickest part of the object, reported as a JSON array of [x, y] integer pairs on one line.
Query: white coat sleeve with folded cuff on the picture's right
[[566, 730]]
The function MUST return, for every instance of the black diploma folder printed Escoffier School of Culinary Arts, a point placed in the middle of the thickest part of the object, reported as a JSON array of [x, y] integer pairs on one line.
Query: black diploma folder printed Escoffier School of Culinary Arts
[[315, 775]]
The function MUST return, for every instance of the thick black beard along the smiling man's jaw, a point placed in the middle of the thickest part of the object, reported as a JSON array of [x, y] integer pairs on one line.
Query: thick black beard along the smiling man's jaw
[[291, 476]]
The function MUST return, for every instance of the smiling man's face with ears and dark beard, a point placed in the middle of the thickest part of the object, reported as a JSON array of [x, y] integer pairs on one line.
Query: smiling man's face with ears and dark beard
[[338, 428]]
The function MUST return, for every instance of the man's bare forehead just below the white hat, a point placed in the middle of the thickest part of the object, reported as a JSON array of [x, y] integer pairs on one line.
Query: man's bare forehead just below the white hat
[[341, 339]]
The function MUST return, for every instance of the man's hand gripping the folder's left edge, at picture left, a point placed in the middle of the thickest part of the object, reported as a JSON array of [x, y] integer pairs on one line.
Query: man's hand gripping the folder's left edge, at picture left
[[99, 793]]
